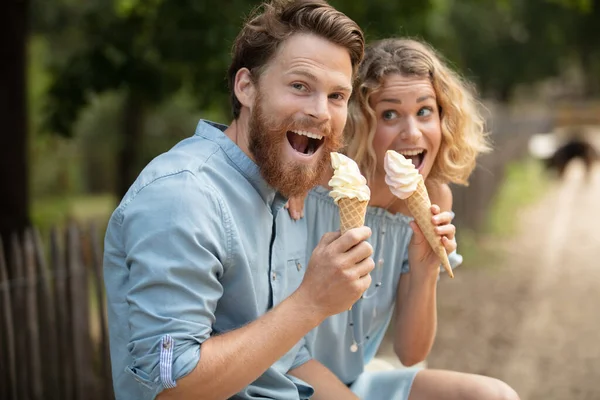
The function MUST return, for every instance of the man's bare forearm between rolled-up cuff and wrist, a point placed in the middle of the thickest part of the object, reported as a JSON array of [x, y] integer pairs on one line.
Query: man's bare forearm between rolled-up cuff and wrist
[[231, 361]]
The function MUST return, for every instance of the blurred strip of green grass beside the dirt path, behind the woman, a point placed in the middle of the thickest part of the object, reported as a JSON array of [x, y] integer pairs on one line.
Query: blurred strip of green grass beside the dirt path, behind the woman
[[524, 184]]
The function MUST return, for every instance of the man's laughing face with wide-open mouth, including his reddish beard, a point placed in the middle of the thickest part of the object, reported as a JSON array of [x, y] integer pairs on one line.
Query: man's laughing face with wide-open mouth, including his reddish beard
[[299, 113]]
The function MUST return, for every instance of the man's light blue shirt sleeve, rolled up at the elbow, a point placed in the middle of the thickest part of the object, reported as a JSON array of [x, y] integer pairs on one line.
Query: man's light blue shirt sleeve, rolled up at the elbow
[[175, 242]]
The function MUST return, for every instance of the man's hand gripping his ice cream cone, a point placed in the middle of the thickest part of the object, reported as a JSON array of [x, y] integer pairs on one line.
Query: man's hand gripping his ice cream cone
[[338, 271]]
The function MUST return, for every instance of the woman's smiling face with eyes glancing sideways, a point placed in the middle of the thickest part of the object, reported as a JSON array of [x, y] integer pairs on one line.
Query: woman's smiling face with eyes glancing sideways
[[408, 121]]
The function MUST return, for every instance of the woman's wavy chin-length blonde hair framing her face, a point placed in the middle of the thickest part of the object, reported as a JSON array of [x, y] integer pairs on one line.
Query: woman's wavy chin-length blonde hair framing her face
[[462, 125]]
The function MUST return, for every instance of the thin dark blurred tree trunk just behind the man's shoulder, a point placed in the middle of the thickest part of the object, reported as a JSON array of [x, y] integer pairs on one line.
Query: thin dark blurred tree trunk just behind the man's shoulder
[[133, 119]]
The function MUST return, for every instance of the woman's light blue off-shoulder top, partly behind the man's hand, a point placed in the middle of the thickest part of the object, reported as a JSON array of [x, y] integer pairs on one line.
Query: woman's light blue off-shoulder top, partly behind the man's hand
[[346, 342]]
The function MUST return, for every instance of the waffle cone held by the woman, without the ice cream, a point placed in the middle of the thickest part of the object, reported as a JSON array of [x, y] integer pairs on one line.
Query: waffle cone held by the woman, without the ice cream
[[419, 206]]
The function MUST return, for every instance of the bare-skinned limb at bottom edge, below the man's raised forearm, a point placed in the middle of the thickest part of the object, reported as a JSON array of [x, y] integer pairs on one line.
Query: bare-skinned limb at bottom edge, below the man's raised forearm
[[327, 386]]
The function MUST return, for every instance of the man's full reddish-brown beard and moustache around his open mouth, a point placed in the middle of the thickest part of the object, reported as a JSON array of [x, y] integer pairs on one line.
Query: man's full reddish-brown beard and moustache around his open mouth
[[266, 143]]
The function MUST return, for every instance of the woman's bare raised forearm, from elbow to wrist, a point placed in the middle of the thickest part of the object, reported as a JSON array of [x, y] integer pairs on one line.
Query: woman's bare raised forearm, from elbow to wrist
[[417, 320]]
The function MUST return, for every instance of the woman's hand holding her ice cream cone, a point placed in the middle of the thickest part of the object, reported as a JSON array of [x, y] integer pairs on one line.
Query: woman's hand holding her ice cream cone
[[420, 254]]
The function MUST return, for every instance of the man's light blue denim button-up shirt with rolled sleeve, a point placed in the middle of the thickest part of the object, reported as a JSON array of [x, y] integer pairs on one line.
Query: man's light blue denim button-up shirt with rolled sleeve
[[192, 251]]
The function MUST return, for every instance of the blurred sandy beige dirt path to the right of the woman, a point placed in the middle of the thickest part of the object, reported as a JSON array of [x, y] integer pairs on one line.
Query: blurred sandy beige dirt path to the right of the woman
[[533, 321]]
